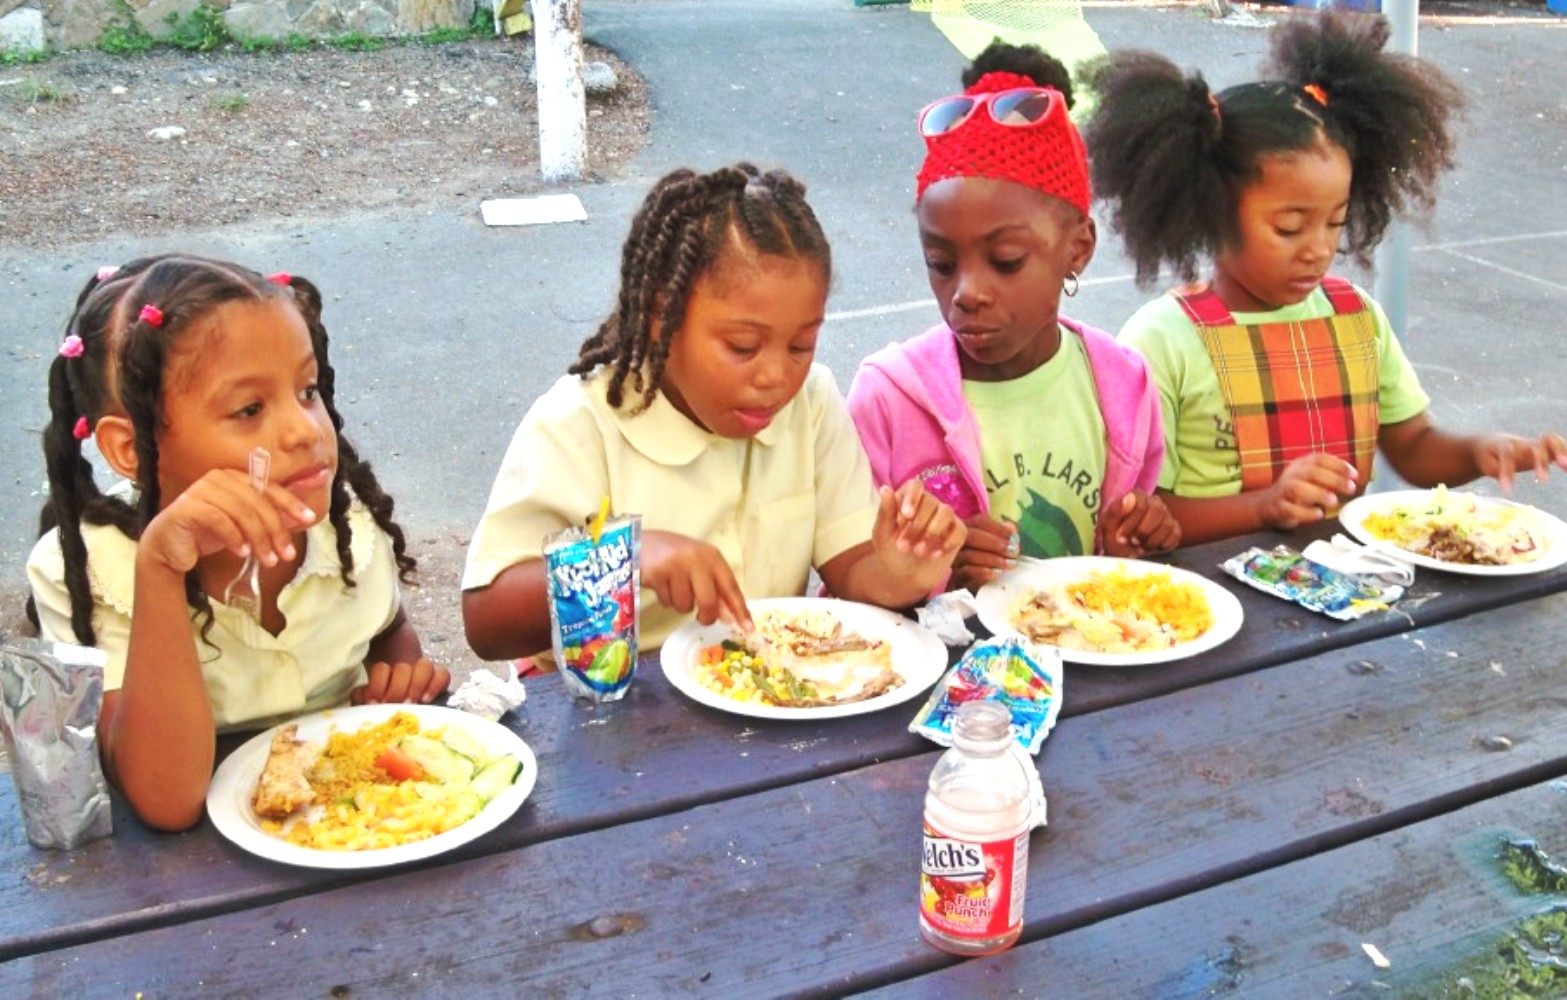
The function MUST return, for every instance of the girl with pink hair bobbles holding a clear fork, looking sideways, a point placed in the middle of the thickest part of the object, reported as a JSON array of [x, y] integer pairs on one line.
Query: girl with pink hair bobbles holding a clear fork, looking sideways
[[181, 369]]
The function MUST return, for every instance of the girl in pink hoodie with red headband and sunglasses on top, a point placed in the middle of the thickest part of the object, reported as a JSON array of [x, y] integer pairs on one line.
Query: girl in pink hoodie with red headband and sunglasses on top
[[1043, 433]]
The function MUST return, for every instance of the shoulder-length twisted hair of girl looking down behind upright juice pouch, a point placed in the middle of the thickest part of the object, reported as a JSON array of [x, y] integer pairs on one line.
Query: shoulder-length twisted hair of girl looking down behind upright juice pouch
[[692, 225]]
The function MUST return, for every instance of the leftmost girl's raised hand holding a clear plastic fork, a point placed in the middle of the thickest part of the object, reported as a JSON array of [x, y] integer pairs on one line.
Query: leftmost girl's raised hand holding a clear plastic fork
[[219, 512]]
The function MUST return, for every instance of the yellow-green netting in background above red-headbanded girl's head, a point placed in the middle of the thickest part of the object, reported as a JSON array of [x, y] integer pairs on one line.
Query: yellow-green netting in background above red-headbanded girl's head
[[1055, 26]]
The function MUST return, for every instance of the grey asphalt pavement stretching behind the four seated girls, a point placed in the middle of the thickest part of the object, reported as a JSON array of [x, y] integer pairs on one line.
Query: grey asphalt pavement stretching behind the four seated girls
[[444, 330]]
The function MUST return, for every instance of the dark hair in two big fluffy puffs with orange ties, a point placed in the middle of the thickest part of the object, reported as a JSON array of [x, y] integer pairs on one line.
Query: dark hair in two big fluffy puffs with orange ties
[[1173, 158]]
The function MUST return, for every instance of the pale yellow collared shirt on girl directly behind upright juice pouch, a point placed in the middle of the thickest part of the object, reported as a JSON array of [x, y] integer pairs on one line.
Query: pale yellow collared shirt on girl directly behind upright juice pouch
[[775, 505]]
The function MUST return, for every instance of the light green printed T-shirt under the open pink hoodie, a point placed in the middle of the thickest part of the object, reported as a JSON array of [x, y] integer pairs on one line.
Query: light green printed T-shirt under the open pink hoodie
[[1043, 452]]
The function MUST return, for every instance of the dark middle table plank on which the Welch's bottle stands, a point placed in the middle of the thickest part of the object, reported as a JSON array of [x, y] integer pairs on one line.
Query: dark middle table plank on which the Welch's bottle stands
[[811, 886]]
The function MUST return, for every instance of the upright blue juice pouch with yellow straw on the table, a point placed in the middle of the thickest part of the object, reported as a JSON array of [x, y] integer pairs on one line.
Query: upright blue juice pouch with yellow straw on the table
[[595, 606]]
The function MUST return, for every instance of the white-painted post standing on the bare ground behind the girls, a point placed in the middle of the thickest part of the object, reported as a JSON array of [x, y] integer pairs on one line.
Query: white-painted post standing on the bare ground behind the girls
[[559, 76]]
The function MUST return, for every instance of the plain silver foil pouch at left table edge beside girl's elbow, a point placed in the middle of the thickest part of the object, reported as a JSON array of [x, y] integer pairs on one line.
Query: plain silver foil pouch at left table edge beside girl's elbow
[[51, 695]]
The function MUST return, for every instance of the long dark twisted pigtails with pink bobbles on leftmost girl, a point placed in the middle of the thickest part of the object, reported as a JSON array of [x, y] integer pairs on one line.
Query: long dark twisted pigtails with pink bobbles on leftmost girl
[[121, 371]]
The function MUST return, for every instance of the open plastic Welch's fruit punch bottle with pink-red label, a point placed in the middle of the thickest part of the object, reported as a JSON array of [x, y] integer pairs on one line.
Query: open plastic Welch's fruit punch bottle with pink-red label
[[977, 825]]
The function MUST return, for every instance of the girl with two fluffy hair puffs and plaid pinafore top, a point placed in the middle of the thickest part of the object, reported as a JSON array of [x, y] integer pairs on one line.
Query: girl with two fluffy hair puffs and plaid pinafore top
[[1278, 380]]
